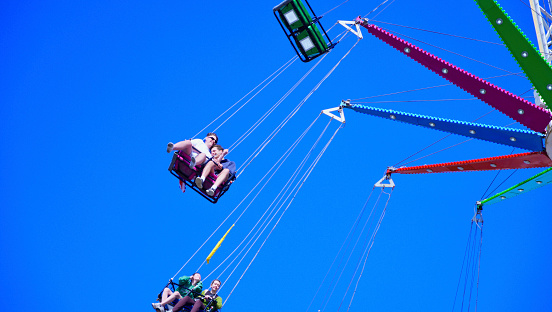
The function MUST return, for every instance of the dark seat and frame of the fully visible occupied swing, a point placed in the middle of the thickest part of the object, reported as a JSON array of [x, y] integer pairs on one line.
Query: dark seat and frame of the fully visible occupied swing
[[180, 168]]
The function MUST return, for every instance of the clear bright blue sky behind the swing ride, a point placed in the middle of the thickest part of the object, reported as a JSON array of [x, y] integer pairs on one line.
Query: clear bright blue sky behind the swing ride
[[91, 218]]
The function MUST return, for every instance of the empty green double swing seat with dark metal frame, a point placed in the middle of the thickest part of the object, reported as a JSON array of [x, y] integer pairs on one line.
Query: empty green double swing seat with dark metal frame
[[307, 32]]
